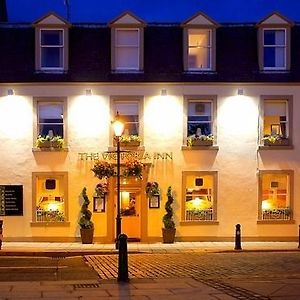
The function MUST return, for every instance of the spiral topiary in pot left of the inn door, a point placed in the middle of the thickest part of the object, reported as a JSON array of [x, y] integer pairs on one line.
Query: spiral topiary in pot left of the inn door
[[85, 223]]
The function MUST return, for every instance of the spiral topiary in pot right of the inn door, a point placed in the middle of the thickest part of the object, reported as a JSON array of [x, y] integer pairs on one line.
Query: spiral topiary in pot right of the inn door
[[169, 229]]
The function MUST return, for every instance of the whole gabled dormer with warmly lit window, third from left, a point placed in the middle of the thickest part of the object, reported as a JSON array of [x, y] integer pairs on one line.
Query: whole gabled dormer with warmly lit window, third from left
[[199, 39]]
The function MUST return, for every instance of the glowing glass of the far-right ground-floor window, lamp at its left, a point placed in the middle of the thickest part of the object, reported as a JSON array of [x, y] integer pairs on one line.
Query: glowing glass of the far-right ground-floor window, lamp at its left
[[275, 201]]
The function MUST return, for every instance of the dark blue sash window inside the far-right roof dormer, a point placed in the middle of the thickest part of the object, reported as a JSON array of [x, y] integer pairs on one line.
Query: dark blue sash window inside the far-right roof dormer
[[274, 48]]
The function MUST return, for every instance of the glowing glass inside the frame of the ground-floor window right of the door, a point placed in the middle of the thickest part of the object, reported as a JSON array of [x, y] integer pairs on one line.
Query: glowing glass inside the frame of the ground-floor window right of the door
[[199, 197]]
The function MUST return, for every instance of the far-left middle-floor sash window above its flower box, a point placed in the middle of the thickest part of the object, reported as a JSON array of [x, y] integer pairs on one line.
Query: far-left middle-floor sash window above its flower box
[[50, 118]]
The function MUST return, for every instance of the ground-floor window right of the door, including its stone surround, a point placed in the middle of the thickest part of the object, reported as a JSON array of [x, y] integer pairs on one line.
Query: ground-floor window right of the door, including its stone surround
[[199, 196]]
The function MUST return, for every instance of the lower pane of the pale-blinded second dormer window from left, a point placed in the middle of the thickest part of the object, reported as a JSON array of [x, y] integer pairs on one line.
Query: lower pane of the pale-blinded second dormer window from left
[[127, 58]]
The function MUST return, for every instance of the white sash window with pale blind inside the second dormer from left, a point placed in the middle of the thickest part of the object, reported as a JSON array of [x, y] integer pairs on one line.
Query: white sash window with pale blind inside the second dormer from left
[[127, 49]]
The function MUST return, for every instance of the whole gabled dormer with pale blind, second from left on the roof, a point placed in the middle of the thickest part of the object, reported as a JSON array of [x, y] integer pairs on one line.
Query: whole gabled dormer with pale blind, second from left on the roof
[[127, 49]]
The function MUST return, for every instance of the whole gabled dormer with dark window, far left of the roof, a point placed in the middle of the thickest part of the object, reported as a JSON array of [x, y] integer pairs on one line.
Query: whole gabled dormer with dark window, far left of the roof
[[51, 44]]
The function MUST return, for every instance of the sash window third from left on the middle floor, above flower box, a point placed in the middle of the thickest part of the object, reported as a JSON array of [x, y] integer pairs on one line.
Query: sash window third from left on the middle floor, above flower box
[[199, 118]]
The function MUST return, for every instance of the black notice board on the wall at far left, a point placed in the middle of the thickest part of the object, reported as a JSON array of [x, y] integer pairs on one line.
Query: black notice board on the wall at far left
[[11, 200]]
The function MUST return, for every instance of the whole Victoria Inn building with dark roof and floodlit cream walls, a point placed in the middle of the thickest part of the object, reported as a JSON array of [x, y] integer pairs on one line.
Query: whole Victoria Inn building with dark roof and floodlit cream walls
[[214, 106]]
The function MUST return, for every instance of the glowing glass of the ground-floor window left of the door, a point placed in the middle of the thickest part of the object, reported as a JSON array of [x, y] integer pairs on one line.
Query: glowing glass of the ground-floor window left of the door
[[50, 205]]
